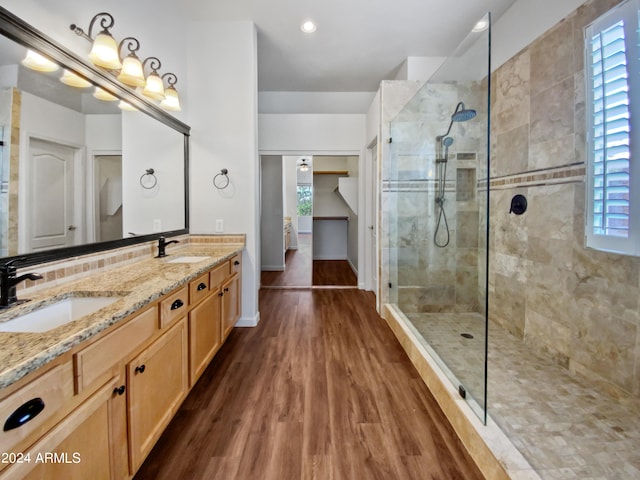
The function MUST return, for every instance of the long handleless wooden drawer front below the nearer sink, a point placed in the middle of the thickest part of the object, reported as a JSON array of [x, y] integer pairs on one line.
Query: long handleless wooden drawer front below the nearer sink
[[99, 358]]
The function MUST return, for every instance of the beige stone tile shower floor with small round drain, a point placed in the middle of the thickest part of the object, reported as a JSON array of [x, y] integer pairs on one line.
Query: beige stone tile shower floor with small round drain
[[562, 424]]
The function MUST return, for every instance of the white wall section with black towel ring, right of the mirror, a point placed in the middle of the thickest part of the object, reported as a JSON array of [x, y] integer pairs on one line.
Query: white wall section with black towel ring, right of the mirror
[[223, 124]]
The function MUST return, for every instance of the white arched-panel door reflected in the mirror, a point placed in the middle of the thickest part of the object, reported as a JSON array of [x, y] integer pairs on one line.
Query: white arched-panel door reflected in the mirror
[[50, 207]]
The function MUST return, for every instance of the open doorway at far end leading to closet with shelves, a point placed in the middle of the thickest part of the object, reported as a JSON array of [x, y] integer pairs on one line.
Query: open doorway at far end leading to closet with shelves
[[320, 226]]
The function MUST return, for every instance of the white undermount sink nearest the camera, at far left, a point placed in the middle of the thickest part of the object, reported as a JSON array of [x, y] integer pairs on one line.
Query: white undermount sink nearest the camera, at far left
[[55, 314]]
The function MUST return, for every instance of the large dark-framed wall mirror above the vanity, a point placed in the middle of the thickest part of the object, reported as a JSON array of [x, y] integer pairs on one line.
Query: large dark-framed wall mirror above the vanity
[[79, 174]]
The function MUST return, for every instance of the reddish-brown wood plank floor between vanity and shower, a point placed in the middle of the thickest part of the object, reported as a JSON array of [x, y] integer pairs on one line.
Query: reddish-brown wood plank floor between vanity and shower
[[320, 389]]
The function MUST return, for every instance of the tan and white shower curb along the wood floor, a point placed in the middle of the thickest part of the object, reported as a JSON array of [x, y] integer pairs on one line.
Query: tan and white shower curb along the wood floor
[[496, 456]]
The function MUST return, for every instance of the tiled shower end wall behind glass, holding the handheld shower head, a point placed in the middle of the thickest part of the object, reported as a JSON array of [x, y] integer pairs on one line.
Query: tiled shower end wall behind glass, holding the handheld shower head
[[429, 278]]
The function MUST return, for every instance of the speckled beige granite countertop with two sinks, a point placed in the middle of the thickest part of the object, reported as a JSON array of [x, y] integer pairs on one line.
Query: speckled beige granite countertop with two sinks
[[139, 284]]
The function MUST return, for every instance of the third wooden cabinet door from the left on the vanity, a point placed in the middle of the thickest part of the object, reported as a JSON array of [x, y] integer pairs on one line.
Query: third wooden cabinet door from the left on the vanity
[[204, 335]]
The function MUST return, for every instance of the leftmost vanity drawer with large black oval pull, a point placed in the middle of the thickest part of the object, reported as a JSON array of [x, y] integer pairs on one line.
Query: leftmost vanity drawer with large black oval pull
[[30, 409]]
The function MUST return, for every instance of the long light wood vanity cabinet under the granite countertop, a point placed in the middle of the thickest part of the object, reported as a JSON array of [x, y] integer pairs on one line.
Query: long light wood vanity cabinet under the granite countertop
[[109, 399]]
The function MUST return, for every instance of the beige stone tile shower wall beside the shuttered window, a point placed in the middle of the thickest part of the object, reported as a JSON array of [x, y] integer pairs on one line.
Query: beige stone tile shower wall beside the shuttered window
[[578, 305]]
